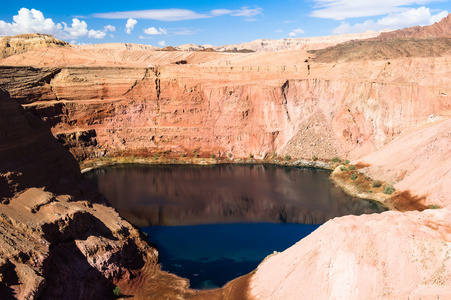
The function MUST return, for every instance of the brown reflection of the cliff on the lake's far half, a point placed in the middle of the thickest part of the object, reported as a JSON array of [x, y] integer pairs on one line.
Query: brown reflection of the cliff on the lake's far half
[[186, 195]]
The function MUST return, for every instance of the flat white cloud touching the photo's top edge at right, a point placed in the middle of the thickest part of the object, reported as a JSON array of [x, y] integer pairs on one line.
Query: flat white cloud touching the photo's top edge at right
[[343, 9]]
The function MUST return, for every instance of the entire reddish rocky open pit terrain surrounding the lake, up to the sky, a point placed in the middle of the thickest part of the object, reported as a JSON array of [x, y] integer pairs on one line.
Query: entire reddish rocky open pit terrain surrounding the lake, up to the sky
[[383, 103]]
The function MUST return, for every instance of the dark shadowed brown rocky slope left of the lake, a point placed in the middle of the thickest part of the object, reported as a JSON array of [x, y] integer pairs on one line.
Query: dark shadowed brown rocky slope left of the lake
[[59, 237]]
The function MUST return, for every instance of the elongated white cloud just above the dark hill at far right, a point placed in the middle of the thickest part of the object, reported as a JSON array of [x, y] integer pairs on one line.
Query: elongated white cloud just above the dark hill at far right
[[413, 17]]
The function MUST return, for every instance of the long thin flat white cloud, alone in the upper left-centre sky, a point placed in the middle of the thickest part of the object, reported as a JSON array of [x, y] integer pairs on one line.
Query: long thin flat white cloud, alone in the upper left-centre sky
[[173, 14]]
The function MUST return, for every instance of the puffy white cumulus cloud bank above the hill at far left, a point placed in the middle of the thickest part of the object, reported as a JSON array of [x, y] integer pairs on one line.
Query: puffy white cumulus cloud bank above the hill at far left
[[33, 21]]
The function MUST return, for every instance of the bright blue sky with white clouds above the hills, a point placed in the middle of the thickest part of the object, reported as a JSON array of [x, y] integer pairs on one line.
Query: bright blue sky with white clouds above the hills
[[162, 23]]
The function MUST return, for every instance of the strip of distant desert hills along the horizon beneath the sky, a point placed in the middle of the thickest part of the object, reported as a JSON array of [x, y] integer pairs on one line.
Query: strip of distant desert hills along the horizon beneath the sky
[[326, 48]]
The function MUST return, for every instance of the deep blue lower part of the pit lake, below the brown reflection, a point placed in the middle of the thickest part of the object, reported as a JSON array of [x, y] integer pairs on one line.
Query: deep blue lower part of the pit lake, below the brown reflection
[[211, 255]]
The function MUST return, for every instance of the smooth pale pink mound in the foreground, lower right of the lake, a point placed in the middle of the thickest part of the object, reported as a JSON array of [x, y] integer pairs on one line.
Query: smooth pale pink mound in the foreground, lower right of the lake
[[387, 256]]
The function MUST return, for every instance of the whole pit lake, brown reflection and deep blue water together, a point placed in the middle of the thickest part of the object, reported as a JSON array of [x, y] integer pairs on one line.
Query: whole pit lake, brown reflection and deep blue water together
[[212, 224]]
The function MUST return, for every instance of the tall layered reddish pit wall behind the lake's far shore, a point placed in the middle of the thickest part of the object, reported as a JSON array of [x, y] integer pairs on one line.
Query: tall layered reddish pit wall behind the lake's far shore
[[341, 110]]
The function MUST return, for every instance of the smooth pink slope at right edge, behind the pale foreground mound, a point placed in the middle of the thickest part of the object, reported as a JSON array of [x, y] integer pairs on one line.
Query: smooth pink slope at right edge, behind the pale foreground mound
[[418, 162]]
